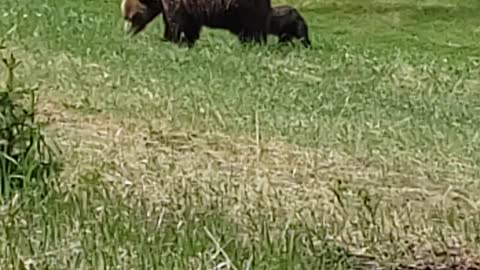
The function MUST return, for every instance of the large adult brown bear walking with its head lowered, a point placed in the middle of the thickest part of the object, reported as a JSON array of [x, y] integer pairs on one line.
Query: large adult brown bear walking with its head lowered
[[247, 19]]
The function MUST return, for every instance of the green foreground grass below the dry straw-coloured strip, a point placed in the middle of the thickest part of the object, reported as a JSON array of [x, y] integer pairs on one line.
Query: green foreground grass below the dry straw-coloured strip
[[90, 228]]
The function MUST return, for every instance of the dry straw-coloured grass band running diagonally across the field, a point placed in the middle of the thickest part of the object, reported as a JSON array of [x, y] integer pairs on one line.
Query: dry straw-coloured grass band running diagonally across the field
[[356, 203]]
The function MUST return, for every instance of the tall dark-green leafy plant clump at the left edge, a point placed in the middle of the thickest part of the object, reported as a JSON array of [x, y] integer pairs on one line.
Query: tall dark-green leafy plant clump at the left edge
[[26, 160]]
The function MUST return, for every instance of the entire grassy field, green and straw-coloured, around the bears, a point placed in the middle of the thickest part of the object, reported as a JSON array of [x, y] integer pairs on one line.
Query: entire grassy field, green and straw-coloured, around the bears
[[361, 151]]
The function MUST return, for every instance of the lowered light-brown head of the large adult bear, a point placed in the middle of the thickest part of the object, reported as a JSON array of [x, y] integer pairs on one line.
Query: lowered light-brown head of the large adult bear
[[139, 13]]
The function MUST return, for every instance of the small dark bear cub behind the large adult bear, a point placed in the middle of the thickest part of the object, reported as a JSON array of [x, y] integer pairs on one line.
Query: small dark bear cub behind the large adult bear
[[287, 23]]
